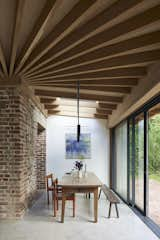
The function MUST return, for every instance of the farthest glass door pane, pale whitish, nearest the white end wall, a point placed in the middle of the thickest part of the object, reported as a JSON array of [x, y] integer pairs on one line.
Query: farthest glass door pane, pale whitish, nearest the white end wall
[[121, 160]]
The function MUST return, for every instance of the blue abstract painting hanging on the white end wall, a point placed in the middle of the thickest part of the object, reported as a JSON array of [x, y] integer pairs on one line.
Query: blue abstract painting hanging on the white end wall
[[78, 150]]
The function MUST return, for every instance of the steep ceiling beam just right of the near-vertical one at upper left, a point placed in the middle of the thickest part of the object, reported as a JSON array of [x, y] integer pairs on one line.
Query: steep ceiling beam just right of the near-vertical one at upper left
[[47, 11]]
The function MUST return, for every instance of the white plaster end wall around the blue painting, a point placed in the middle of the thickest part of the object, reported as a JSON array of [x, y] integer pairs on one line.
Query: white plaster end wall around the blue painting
[[58, 126]]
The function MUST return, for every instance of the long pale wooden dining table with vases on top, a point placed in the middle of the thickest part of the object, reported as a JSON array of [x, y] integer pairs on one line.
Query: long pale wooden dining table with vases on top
[[87, 184]]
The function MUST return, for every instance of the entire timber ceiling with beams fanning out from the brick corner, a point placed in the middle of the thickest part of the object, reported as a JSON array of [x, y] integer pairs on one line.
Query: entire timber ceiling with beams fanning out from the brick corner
[[105, 44]]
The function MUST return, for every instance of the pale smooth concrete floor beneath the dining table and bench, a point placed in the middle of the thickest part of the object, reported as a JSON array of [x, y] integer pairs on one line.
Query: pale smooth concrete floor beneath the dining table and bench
[[39, 224]]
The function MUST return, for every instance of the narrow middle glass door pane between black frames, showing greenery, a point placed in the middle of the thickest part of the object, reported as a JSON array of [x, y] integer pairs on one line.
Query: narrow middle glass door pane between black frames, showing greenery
[[139, 161]]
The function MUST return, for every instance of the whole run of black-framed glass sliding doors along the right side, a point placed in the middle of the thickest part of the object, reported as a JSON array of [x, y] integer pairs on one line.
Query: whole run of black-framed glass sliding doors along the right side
[[137, 161]]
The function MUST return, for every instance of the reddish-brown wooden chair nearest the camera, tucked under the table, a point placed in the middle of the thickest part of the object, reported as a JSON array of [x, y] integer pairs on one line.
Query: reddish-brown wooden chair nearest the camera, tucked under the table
[[57, 196]]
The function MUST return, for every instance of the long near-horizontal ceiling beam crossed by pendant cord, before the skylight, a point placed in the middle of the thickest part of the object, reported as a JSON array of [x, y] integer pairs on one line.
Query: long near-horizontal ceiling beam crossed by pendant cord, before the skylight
[[49, 93]]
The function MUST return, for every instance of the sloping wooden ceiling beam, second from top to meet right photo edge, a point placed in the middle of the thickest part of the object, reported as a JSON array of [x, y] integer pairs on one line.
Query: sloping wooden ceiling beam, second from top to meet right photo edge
[[138, 44]]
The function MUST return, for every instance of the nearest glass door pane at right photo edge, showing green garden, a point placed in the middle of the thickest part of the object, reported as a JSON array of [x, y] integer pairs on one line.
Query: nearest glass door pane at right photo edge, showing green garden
[[154, 163]]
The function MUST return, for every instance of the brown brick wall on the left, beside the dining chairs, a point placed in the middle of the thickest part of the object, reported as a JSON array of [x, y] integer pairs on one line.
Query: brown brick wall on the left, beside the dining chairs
[[19, 163]]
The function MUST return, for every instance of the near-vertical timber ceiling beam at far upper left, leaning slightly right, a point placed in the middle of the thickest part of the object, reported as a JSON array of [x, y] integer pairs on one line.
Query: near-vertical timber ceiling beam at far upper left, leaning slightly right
[[16, 31]]
